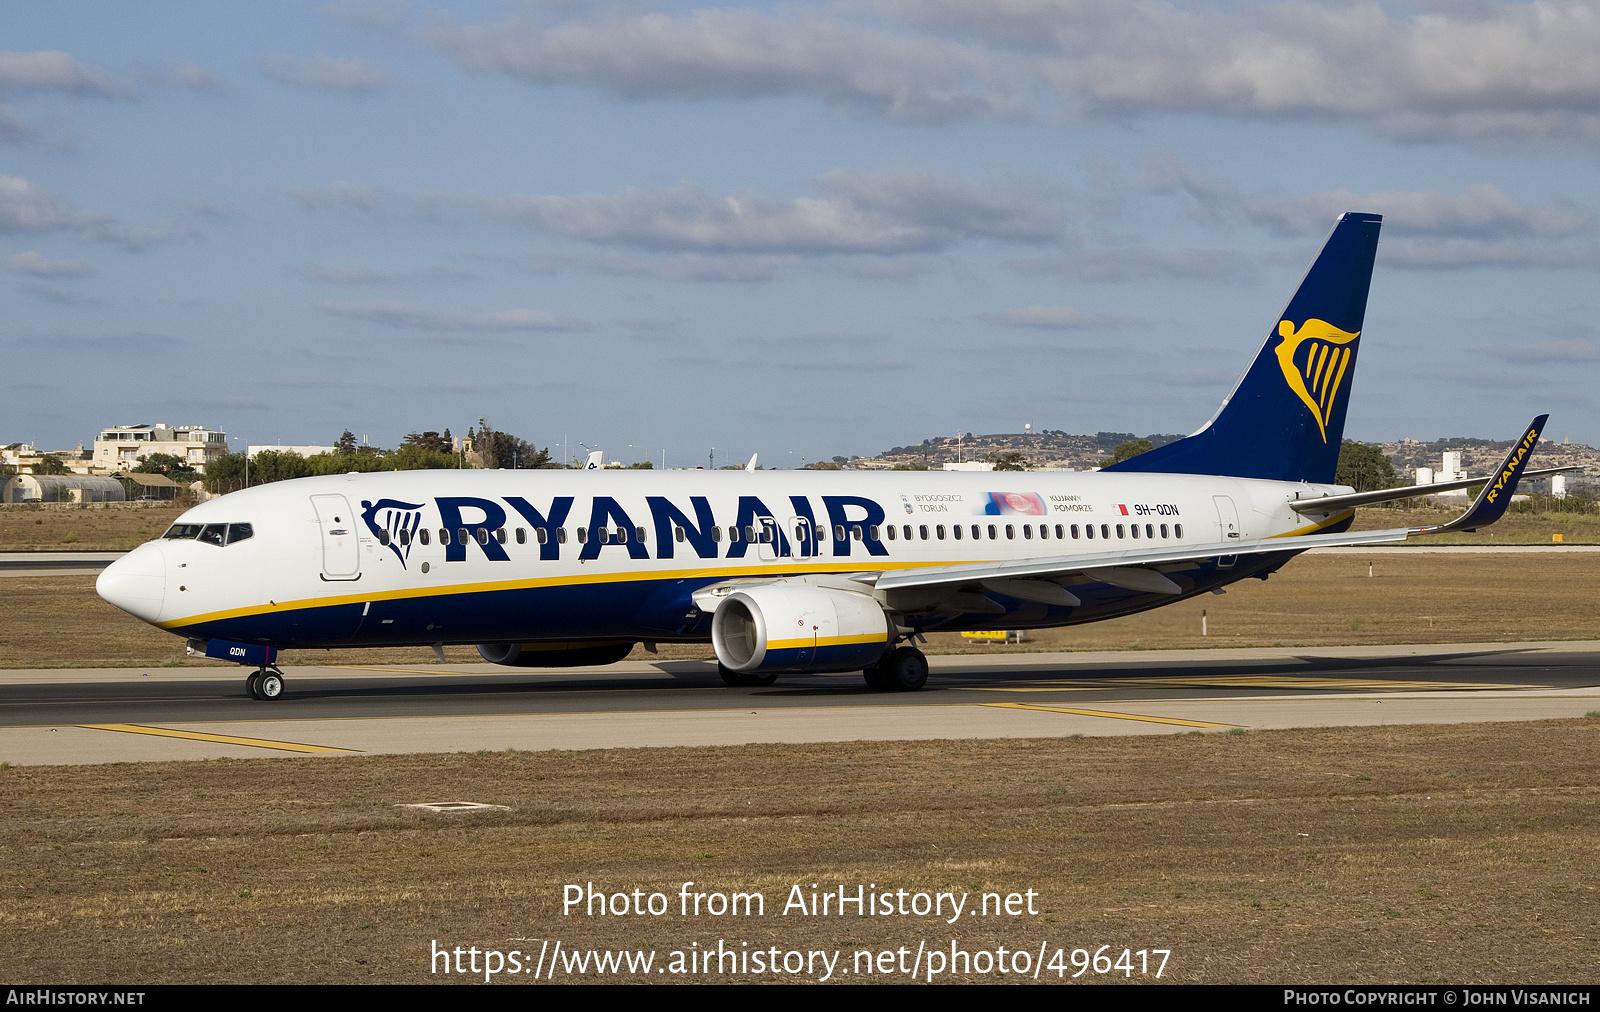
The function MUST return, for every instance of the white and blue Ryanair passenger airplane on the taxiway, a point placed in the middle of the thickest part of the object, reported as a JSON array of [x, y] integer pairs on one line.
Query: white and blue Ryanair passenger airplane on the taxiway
[[791, 571]]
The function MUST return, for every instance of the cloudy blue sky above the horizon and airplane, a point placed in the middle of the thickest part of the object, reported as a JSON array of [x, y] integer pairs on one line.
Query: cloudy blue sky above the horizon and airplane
[[801, 230]]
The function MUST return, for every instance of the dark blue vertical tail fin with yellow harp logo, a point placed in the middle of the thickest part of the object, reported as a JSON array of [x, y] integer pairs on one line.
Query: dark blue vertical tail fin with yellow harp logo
[[1286, 417]]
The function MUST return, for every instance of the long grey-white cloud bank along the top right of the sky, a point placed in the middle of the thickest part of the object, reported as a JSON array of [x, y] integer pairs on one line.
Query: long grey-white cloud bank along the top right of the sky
[[1457, 71]]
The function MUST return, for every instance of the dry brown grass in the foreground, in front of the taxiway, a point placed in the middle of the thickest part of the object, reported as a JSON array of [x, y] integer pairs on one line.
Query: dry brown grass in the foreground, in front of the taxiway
[[1382, 854]]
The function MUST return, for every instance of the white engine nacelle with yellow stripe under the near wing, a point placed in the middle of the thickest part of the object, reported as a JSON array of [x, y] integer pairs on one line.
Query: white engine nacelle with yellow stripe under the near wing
[[799, 628]]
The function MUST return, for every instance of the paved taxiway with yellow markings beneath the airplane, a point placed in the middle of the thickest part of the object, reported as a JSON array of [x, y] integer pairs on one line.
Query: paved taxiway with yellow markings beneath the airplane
[[73, 717]]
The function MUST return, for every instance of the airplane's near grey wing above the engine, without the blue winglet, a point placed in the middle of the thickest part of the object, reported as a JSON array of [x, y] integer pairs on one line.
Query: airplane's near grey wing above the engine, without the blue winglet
[[1116, 568]]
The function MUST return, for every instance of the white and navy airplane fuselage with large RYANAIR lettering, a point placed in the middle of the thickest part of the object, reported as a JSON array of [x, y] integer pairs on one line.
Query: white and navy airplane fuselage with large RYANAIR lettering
[[502, 556]]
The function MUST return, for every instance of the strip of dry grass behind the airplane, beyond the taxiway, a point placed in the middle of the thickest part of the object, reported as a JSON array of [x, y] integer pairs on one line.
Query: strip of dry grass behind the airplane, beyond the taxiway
[[1314, 601]]
